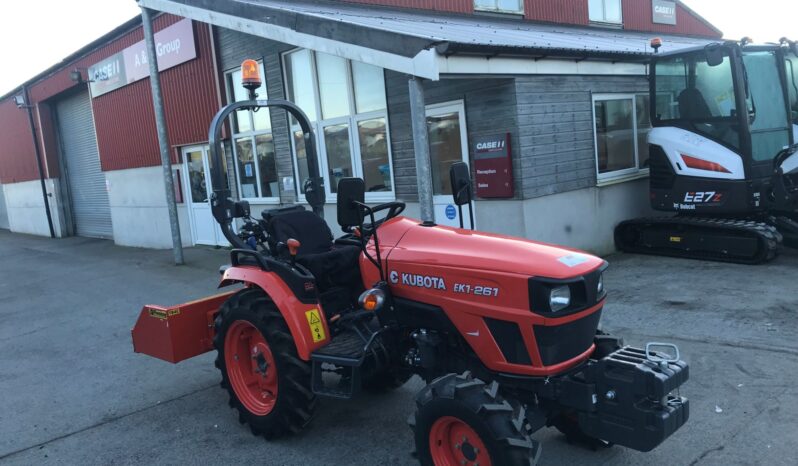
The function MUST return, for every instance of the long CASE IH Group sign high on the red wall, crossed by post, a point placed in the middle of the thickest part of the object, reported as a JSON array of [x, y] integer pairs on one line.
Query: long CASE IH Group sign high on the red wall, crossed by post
[[174, 45]]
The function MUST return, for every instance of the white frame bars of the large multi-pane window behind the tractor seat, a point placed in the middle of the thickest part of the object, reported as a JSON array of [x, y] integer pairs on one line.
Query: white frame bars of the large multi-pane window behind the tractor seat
[[351, 120]]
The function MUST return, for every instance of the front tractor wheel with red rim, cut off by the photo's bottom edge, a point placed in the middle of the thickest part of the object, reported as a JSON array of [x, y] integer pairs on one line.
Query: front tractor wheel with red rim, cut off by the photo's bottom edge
[[461, 420]]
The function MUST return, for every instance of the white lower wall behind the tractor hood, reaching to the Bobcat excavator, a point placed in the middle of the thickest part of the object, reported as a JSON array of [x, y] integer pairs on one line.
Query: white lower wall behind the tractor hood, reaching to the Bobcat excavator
[[583, 219]]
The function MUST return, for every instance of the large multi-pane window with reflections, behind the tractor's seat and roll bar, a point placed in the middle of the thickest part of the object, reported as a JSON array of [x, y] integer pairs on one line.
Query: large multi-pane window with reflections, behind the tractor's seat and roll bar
[[345, 101]]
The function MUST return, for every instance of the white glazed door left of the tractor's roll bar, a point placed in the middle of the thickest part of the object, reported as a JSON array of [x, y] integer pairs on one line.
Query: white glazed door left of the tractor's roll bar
[[204, 228]]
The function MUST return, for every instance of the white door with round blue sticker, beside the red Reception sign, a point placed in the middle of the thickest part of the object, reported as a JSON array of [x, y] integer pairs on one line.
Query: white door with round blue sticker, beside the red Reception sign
[[448, 143]]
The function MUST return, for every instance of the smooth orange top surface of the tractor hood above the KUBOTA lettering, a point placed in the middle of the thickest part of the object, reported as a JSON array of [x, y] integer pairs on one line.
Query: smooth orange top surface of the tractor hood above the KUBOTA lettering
[[466, 249]]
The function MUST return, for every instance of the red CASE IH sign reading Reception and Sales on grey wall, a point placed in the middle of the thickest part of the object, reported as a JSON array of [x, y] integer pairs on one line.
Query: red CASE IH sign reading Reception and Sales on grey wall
[[493, 166]]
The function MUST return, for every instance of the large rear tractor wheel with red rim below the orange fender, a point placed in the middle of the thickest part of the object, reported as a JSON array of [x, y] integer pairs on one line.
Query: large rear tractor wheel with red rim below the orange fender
[[268, 384]]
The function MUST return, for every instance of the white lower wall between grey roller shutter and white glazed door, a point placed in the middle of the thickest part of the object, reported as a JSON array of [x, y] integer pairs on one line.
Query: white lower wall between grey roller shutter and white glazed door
[[138, 209]]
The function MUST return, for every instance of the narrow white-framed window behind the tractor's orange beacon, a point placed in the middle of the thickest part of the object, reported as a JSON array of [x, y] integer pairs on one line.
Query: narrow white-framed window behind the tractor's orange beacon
[[253, 147]]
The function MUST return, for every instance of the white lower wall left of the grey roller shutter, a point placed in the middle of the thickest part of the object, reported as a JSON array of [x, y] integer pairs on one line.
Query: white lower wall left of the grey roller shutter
[[25, 207]]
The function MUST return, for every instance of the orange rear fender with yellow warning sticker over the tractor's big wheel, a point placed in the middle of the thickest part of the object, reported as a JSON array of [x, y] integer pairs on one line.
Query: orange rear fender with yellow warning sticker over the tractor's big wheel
[[305, 321]]
